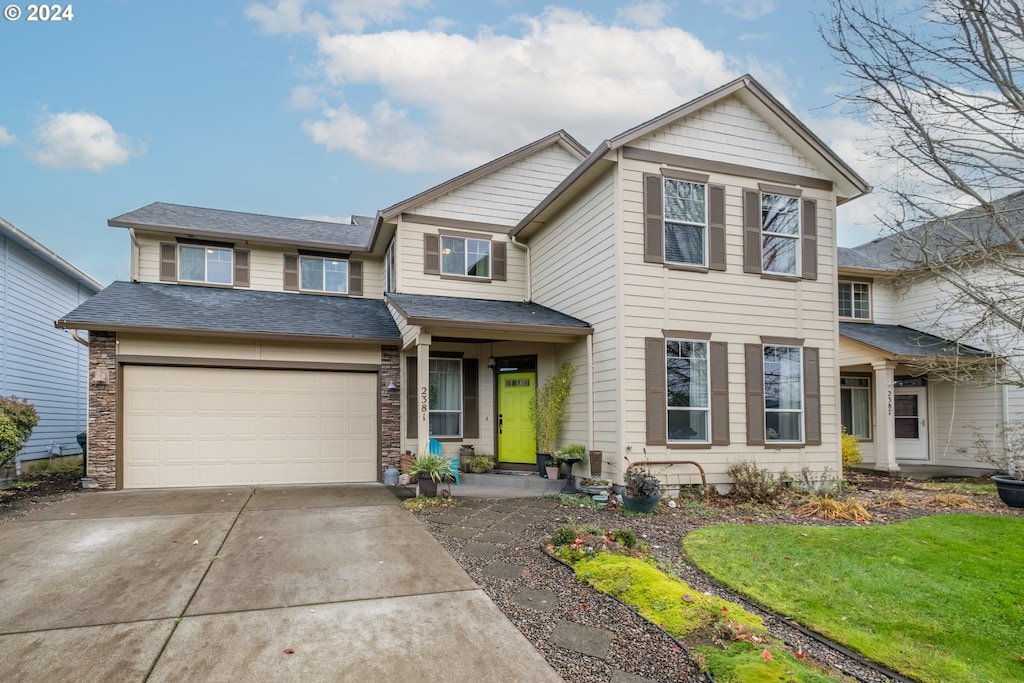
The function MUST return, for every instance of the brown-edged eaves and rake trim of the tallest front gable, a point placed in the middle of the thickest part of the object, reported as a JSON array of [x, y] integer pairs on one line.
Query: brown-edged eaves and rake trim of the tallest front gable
[[848, 184]]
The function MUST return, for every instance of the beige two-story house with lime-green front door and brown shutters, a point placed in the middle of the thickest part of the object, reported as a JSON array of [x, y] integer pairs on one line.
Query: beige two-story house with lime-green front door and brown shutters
[[688, 269]]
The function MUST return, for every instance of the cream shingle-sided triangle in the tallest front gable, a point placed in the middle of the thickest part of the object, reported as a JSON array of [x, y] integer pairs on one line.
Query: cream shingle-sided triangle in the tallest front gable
[[731, 133]]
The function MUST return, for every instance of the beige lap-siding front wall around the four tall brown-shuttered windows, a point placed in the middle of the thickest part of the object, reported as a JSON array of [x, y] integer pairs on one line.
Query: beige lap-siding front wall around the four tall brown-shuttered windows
[[735, 308]]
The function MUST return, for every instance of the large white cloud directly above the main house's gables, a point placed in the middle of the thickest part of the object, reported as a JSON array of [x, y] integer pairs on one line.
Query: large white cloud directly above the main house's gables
[[449, 101]]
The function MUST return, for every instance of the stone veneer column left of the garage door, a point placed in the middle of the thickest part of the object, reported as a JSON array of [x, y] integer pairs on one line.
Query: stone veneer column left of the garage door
[[103, 423]]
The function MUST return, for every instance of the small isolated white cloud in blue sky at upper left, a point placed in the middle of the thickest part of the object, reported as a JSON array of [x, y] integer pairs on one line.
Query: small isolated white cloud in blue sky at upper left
[[81, 141]]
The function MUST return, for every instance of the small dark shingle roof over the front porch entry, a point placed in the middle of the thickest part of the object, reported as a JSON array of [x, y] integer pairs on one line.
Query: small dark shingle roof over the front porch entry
[[456, 310]]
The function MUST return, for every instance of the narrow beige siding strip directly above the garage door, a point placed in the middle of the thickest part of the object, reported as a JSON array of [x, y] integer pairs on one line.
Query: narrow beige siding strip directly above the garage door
[[245, 350]]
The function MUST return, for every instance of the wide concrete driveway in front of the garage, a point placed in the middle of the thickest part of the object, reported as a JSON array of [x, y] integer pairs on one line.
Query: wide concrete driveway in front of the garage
[[220, 585]]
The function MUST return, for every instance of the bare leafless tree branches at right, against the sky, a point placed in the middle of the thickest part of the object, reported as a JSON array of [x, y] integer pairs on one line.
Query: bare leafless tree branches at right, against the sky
[[943, 81]]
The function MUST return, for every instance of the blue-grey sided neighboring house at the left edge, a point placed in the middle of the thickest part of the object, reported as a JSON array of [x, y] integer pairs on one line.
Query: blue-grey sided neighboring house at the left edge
[[38, 363]]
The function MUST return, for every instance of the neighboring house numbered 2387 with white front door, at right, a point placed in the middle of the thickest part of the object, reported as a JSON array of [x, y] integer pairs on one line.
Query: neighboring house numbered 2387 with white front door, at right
[[906, 338]]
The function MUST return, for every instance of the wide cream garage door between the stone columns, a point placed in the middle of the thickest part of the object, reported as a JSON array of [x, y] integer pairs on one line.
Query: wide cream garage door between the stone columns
[[211, 426]]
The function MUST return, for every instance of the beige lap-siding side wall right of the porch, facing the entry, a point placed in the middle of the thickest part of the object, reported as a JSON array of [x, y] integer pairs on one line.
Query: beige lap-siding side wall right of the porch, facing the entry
[[576, 272]]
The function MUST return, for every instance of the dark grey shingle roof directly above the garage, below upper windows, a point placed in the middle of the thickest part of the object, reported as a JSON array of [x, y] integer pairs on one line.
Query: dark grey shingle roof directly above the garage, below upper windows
[[159, 307]]
